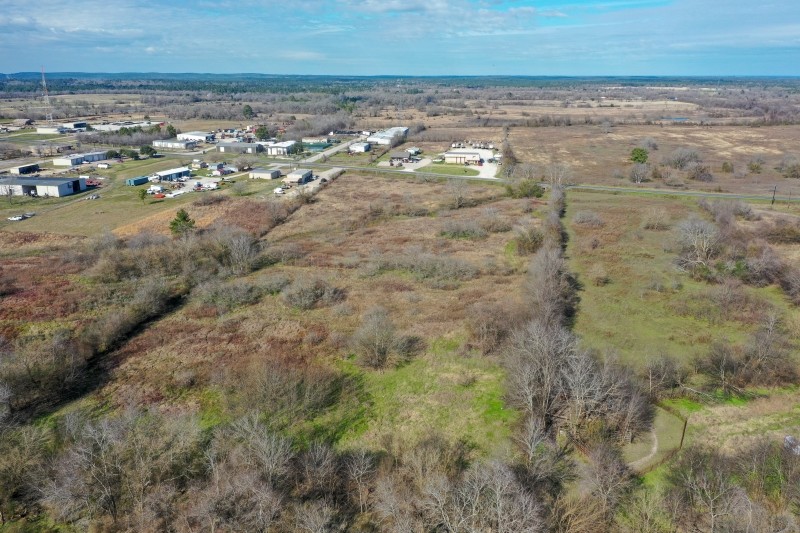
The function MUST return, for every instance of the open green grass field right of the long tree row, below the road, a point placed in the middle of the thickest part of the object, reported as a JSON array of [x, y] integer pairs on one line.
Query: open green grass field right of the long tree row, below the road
[[646, 306]]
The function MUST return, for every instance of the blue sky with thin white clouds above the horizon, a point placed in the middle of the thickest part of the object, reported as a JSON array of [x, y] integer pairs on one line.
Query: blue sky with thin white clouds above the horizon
[[404, 37]]
